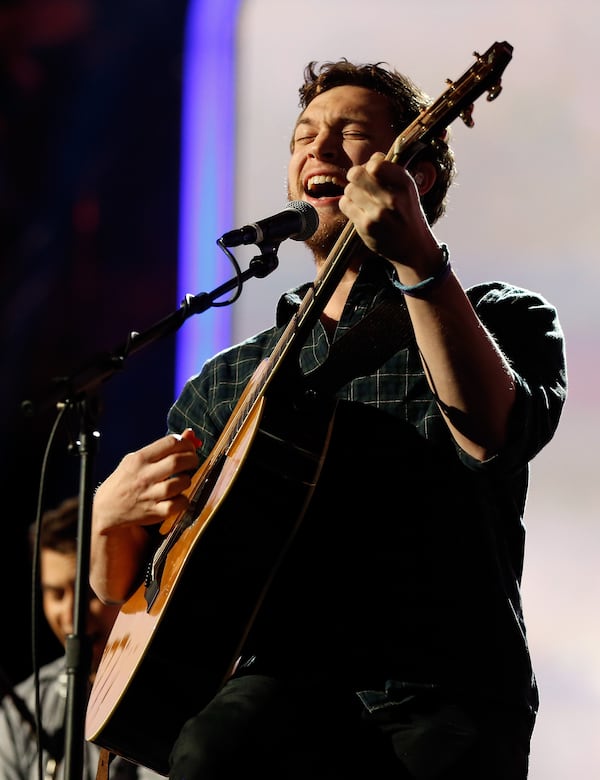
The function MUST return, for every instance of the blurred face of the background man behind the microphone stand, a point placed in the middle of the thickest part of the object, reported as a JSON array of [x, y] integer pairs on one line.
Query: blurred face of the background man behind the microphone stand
[[58, 576]]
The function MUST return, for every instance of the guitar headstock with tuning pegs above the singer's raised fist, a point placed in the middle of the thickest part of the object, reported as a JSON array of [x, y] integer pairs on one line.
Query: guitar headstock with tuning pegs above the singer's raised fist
[[458, 100]]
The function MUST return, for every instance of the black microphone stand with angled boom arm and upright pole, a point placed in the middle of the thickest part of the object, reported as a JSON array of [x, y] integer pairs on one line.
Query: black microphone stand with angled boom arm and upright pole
[[73, 392]]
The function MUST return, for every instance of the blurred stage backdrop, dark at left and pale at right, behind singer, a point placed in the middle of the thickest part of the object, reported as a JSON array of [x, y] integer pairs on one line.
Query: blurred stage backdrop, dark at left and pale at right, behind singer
[[90, 153]]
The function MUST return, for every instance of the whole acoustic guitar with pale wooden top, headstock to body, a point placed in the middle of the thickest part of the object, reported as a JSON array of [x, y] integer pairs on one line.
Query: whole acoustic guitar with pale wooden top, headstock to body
[[178, 637]]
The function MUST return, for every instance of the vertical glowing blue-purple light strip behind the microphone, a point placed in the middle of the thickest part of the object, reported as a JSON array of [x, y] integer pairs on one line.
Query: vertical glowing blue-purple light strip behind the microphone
[[207, 162]]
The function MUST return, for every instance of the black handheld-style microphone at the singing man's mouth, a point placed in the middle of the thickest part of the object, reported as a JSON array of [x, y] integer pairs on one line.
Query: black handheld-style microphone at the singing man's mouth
[[298, 220]]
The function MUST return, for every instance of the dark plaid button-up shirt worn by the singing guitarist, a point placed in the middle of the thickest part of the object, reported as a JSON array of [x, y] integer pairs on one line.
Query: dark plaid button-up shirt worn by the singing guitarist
[[424, 545]]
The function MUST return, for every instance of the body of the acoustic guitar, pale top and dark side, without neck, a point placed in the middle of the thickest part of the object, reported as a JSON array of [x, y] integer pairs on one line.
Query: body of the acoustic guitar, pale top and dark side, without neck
[[163, 663]]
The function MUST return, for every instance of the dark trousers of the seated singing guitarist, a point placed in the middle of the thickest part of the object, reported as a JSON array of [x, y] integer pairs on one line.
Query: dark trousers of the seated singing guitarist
[[260, 726]]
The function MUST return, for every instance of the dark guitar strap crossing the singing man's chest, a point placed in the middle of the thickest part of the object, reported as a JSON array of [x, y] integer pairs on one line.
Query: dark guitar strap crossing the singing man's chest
[[365, 347]]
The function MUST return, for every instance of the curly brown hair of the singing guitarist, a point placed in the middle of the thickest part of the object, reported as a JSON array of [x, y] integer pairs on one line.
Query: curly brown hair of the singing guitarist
[[406, 101]]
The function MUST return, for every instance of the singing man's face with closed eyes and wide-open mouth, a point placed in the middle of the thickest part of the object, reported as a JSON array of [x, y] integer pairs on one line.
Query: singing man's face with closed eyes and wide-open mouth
[[340, 128]]
